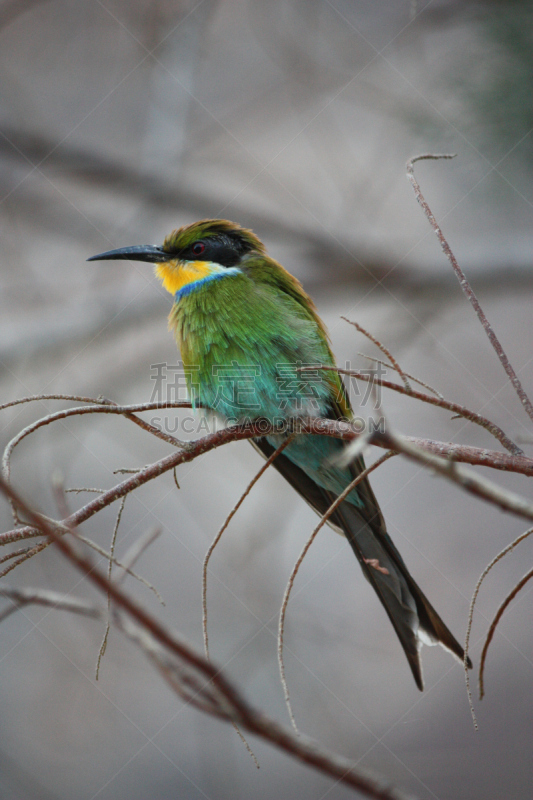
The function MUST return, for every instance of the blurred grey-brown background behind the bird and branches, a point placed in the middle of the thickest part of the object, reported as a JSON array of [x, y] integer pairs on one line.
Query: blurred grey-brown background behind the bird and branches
[[120, 122]]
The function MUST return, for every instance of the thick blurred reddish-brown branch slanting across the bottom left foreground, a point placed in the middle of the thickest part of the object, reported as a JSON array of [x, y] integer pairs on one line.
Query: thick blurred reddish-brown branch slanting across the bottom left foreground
[[196, 679]]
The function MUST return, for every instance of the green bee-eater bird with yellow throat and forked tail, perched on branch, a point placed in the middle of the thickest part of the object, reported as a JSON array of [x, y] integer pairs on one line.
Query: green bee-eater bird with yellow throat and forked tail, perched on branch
[[239, 316]]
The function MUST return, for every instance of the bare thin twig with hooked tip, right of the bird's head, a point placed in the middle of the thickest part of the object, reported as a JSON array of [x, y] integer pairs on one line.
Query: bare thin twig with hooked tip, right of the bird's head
[[465, 285]]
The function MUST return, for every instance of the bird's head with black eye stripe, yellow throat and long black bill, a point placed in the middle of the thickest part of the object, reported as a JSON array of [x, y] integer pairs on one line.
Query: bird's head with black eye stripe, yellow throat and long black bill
[[194, 252]]
